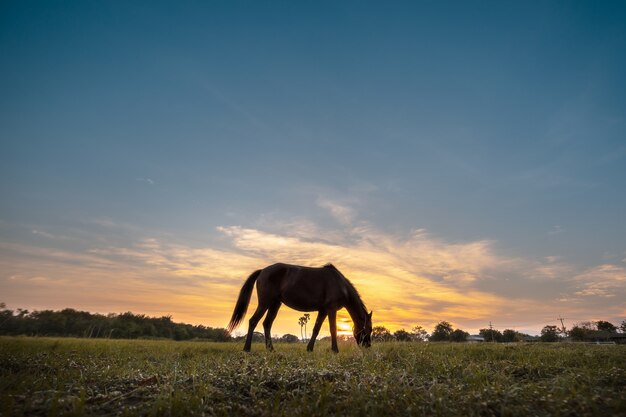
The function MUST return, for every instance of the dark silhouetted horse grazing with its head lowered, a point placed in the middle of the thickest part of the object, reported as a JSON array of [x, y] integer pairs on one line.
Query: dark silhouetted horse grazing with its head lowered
[[302, 288]]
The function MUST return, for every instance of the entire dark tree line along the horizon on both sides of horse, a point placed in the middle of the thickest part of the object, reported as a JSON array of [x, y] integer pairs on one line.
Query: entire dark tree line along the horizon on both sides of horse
[[70, 322]]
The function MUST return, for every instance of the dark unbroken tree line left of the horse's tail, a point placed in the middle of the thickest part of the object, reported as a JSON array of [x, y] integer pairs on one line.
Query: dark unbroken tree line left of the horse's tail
[[70, 322]]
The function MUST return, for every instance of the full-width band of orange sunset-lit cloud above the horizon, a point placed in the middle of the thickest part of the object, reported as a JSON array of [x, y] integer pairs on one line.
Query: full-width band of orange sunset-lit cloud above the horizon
[[409, 279]]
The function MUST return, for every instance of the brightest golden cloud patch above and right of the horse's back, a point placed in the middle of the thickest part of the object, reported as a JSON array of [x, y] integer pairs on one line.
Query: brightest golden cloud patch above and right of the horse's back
[[418, 278]]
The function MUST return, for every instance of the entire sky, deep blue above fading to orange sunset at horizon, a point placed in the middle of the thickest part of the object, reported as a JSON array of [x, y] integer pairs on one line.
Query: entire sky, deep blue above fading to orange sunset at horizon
[[459, 161]]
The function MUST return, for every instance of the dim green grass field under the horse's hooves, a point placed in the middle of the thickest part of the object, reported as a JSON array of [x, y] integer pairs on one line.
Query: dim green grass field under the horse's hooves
[[47, 376]]
